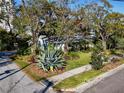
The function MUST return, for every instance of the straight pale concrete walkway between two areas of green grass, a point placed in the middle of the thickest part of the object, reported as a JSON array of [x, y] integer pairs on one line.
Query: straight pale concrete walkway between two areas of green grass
[[58, 78]]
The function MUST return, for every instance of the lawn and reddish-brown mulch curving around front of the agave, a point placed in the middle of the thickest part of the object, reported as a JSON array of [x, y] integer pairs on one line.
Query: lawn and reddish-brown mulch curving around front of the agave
[[78, 59]]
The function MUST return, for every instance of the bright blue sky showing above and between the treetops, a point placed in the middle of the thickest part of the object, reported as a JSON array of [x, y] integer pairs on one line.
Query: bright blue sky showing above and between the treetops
[[118, 5]]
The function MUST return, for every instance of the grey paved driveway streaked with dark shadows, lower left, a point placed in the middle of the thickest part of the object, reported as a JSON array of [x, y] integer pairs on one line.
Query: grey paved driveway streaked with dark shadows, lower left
[[13, 80]]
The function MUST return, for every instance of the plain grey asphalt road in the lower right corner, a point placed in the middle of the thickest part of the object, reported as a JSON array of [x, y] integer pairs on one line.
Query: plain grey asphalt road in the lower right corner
[[113, 84]]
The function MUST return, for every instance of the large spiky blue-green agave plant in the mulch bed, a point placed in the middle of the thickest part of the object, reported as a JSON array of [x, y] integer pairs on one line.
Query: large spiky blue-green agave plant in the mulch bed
[[49, 59]]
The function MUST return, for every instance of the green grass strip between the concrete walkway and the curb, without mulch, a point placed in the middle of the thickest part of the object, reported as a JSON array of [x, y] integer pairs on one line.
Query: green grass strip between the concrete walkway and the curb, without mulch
[[77, 79]]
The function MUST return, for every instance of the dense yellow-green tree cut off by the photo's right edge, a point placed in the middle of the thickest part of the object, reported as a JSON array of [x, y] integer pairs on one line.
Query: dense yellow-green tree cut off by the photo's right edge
[[116, 20]]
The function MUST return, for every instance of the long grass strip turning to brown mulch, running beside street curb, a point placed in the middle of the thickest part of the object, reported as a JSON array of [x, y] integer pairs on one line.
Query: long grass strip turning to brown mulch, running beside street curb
[[84, 77]]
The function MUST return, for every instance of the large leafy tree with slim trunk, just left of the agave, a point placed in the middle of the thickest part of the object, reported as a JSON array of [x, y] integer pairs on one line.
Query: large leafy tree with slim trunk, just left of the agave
[[28, 18]]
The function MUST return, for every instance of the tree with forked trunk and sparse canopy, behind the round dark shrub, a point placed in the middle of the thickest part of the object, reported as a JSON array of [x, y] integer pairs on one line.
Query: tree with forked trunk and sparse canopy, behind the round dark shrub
[[100, 23]]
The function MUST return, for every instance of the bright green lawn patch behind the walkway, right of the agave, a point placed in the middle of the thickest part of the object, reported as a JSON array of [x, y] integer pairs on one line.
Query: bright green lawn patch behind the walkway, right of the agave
[[84, 58]]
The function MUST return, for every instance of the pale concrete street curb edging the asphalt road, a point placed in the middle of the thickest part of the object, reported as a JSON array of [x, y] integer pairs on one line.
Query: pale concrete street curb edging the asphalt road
[[84, 86]]
